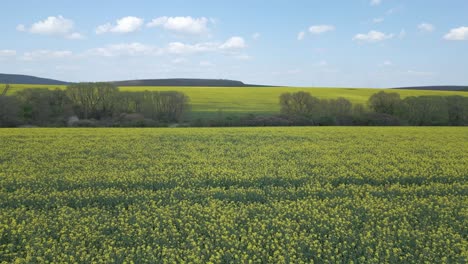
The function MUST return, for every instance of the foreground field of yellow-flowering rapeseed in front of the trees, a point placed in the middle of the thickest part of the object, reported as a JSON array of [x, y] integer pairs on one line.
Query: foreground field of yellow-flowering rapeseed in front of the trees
[[277, 195]]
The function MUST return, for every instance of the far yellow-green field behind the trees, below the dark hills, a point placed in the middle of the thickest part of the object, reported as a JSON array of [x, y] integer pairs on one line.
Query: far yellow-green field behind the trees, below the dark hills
[[208, 101]]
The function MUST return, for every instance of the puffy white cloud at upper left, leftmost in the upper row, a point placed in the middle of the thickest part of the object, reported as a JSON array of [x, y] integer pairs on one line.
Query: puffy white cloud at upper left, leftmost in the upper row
[[52, 26]]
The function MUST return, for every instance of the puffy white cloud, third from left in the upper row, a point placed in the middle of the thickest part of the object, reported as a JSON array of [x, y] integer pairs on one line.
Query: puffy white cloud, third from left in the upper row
[[181, 24]]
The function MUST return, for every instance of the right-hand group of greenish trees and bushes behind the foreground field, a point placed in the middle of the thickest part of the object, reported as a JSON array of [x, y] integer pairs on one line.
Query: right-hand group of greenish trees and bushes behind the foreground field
[[382, 109]]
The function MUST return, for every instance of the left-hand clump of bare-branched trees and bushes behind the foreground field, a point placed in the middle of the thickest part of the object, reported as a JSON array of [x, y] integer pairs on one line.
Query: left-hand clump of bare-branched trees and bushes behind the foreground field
[[92, 104]]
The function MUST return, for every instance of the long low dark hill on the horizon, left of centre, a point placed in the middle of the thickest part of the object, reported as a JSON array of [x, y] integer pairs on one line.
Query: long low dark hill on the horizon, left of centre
[[185, 82]]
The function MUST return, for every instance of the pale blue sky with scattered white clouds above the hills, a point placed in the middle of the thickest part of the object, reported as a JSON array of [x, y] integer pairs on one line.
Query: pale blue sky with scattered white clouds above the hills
[[352, 43]]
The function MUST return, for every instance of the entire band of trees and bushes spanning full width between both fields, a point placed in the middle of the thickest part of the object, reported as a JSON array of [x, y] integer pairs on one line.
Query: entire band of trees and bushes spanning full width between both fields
[[102, 104]]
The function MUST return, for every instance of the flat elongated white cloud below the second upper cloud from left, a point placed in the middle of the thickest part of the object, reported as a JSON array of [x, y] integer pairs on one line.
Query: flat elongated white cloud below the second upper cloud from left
[[125, 49]]
